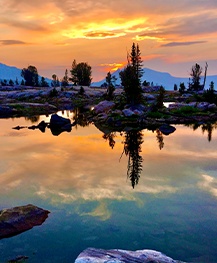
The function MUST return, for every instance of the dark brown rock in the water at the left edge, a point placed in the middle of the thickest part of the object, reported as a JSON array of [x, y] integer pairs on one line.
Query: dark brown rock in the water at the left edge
[[16, 220]]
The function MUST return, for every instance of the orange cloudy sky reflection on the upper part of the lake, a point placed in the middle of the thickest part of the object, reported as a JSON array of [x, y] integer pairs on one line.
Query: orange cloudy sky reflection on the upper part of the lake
[[81, 166]]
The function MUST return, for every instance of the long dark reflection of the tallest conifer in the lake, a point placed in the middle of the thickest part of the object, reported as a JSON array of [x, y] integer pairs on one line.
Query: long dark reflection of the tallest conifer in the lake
[[132, 148]]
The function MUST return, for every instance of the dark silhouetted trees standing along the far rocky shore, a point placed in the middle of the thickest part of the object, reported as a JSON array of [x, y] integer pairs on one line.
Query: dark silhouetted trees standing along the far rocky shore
[[81, 74]]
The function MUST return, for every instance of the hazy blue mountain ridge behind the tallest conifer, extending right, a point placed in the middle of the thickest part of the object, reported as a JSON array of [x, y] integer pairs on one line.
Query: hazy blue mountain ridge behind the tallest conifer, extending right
[[160, 78]]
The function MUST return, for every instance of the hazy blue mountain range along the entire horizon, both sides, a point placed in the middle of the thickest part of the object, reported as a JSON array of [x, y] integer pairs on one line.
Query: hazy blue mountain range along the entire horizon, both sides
[[156, 77]]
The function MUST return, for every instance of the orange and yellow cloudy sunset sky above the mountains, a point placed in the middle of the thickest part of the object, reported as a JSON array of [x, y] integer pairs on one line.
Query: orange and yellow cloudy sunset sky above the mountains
[[50, 34]]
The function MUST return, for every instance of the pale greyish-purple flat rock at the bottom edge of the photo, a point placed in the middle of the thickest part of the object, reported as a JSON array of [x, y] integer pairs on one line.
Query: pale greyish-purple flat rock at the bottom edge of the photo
[[92, 255]]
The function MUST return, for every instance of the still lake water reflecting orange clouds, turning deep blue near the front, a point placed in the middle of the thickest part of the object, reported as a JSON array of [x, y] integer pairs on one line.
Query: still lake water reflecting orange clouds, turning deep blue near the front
[[129, 190]]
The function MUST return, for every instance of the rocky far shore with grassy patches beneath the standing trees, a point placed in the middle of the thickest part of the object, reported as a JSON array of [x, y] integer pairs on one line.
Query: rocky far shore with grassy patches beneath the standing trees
[[28, 101]]
